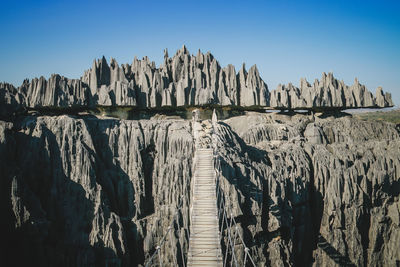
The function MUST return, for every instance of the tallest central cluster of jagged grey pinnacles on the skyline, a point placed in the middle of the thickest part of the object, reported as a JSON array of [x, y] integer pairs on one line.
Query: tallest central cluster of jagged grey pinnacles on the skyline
[[183, 80]]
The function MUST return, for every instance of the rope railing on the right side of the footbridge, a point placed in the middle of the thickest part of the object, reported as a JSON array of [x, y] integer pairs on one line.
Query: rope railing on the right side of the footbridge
[[227, 220]]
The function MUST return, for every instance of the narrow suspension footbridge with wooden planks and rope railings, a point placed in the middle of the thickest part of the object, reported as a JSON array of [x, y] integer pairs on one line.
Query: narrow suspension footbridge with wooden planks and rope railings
[[212, 221]]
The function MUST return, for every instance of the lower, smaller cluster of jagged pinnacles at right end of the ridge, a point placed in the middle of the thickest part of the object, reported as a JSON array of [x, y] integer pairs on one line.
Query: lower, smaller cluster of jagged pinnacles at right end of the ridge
[[328, 93]]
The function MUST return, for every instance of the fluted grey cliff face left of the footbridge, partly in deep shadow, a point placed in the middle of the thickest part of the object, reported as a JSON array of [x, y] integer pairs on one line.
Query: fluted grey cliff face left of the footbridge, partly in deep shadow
[[84, 192]]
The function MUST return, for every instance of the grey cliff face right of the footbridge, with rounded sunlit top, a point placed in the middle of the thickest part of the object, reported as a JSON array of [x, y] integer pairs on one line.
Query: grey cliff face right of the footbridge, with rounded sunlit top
[[314, 191]]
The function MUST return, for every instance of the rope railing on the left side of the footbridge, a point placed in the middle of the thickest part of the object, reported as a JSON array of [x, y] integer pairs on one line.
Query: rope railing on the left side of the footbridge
[[174, 228]]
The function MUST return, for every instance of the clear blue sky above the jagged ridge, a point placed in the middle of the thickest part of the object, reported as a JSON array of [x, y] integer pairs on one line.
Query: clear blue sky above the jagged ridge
[[286, 39]]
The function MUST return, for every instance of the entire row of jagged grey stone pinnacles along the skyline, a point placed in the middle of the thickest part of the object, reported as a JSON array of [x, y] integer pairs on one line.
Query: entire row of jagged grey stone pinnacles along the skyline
[[183, 80]]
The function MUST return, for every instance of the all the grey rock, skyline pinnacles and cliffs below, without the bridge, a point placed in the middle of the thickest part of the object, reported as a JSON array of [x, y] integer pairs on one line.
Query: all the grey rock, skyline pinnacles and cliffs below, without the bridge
[[89, 190]]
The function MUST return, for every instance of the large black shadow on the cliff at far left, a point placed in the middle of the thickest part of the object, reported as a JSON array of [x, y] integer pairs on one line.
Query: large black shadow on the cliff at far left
[[56, 206]]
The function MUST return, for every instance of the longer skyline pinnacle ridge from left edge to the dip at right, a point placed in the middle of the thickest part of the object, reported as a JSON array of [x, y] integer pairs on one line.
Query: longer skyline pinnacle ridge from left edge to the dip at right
[[183, 80]]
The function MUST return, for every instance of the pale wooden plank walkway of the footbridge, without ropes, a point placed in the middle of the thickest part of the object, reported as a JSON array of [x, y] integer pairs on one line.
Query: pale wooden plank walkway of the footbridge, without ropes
[[204, 243]]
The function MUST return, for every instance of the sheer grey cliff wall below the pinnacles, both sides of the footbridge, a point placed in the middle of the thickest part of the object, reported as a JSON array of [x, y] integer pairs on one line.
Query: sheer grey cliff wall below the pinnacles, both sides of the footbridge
[[305, 190]]
